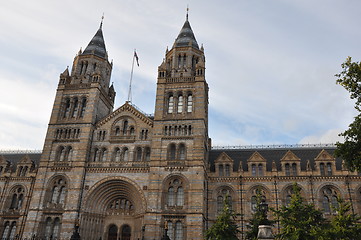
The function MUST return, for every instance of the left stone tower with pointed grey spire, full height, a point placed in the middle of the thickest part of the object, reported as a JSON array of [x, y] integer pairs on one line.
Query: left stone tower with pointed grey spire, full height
[[82, 98]]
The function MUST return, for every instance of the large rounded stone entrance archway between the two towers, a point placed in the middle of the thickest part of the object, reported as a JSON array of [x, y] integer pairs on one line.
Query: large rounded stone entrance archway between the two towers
[[113, 209]]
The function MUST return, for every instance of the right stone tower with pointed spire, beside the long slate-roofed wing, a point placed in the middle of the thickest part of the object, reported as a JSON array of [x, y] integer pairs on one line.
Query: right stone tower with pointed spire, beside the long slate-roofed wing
[[177, 187]]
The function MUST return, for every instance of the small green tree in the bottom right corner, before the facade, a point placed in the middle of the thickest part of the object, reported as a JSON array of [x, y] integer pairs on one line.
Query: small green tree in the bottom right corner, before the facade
[[344, 225]]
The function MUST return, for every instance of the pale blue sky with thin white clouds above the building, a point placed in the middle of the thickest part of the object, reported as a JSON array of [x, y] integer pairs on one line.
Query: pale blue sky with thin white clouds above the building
[[270, 65]]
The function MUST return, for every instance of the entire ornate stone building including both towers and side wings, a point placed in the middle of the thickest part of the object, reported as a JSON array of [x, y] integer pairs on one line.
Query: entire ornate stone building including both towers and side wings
[[123, 174]]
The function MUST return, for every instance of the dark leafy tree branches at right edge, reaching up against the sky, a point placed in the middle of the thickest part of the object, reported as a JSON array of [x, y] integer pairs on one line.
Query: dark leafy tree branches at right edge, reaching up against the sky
[[349, 151]]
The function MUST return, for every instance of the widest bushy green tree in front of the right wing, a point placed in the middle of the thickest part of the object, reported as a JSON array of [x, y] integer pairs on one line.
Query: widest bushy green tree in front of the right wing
[[299, 220]]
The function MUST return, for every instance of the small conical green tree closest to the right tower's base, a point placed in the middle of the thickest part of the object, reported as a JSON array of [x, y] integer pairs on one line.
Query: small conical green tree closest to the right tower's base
[[224, 228]]
